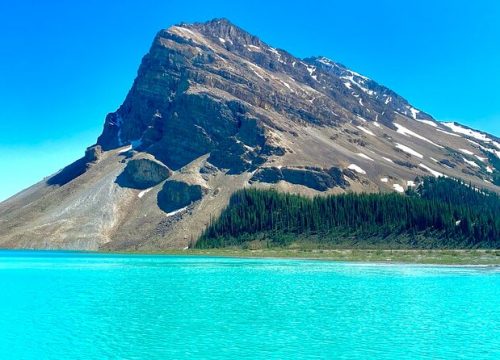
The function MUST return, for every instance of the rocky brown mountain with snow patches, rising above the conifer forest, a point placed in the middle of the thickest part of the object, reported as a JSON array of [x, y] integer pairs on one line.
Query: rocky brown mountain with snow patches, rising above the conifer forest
[[214, 109]]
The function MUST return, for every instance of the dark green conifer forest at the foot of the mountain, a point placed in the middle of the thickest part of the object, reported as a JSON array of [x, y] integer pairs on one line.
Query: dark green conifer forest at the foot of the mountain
[[441, 213]]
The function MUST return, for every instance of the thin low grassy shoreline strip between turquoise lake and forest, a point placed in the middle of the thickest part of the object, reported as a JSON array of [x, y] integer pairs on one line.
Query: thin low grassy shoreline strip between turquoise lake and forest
[[452, 257]]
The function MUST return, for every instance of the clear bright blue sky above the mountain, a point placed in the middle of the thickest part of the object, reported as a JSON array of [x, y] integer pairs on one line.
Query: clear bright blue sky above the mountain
[[65, 64]]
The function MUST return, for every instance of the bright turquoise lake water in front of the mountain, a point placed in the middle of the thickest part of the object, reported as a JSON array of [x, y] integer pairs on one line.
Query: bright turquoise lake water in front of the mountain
[[59, 305]]
